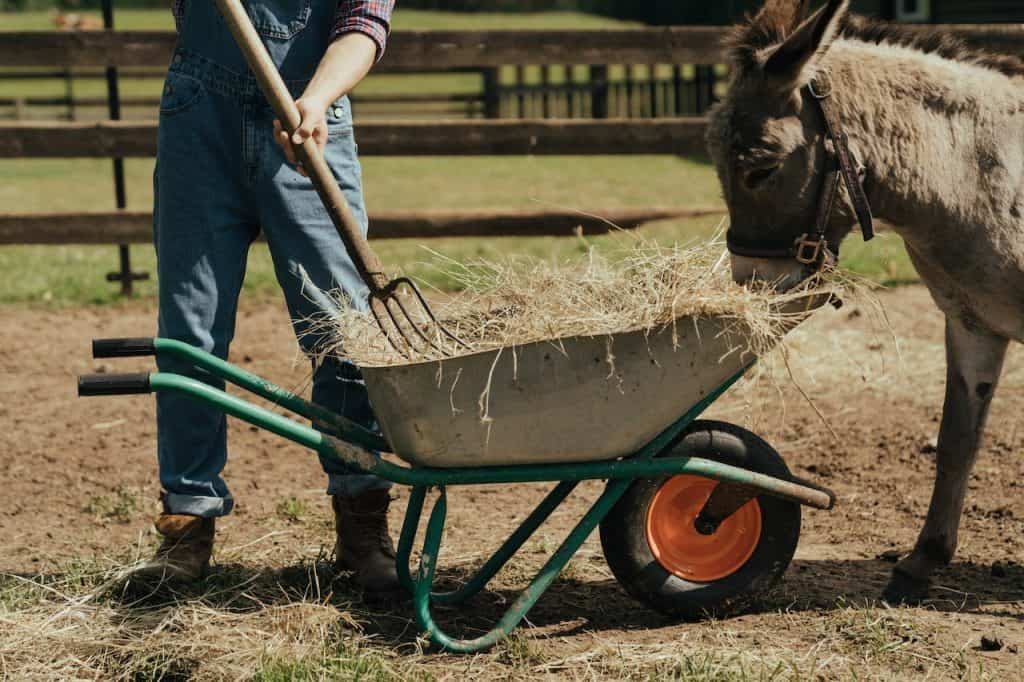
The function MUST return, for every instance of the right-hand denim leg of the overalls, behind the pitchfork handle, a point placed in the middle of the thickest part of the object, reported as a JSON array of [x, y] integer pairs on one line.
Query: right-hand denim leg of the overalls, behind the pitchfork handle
[[303, 239]]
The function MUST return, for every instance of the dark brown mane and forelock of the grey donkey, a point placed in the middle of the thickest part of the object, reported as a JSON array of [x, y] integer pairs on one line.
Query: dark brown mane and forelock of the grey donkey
[[772, 28]]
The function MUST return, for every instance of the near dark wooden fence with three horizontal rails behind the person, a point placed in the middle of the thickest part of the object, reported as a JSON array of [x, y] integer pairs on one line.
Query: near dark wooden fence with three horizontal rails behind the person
[[409, 53]]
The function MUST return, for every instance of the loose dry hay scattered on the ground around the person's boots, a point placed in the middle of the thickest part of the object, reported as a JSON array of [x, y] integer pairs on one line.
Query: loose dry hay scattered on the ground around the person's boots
[[83, 625]]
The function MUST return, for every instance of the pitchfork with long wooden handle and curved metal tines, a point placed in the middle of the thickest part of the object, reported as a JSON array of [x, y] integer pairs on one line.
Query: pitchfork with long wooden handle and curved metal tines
[[386, 303]]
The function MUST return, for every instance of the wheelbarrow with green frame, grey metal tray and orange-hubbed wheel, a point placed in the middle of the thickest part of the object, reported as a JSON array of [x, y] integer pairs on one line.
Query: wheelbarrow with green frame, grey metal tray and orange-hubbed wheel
[[698, 519]]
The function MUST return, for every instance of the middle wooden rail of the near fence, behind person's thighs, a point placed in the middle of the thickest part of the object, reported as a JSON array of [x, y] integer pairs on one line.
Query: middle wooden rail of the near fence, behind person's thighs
[[685, 137]]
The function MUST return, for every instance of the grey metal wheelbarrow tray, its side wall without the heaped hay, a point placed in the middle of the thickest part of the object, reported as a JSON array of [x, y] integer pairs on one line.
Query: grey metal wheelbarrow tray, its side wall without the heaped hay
[[575, 400]]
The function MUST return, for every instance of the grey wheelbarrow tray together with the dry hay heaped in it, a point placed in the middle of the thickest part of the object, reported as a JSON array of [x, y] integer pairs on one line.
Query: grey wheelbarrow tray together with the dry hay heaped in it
[[581, 361]]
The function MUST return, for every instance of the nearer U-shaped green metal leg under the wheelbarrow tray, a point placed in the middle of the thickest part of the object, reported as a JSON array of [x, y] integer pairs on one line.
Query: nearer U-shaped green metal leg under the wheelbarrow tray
[[528, 599]]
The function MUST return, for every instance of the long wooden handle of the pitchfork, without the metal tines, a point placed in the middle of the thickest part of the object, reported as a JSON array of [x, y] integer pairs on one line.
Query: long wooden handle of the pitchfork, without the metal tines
[[271, 82]]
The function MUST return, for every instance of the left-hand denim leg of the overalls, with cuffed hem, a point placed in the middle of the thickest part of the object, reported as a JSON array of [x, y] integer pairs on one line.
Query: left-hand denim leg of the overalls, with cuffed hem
[[202, 234]]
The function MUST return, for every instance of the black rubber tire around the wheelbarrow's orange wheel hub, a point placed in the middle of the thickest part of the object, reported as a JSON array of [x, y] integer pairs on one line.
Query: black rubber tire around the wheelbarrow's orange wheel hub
[[624, 533]]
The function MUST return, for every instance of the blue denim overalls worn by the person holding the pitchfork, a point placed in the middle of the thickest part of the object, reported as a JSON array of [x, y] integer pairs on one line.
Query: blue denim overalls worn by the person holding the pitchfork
[[221, 179]]
